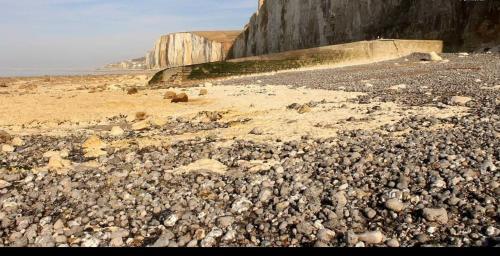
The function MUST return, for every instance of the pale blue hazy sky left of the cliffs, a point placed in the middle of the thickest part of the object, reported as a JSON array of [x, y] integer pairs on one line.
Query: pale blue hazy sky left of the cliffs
[[79, 34]]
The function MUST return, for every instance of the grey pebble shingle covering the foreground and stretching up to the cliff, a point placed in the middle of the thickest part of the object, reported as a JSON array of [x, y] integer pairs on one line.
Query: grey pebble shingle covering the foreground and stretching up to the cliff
[[423, 181]]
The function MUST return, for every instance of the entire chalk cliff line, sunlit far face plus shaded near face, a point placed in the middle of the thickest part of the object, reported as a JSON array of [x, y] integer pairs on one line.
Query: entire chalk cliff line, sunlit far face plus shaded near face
[[285, 25]]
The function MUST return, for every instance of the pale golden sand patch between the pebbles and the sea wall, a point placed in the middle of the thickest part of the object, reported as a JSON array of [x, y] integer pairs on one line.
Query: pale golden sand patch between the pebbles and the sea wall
[[62, 105]]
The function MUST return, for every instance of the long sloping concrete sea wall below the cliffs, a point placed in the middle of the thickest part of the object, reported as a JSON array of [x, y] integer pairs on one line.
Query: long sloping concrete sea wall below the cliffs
[[334, 55]]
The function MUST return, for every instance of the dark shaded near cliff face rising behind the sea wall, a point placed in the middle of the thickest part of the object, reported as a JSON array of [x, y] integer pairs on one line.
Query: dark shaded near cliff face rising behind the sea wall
[[282, 25]]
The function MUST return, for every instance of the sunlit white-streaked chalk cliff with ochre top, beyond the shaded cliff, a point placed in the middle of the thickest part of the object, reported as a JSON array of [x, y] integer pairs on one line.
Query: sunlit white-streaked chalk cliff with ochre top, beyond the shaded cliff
[[187, 48]]
